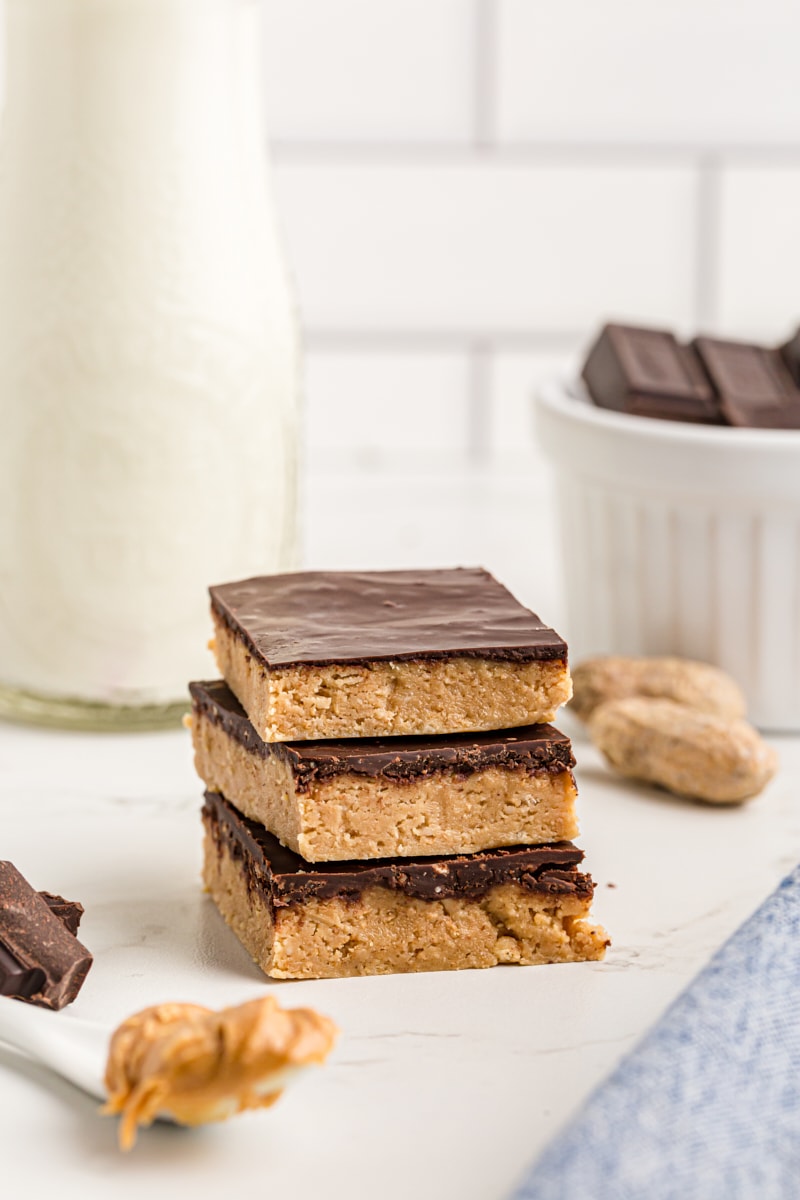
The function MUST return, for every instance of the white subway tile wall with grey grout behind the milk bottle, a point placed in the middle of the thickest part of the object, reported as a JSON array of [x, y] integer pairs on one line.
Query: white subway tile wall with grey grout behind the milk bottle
[[471, 187]]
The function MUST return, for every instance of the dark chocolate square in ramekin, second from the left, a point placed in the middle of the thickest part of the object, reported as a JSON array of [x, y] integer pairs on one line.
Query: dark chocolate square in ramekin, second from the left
[[754, 385]]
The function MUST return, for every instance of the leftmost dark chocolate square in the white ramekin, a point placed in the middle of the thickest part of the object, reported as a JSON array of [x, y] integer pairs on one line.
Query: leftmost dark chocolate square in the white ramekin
[[648, 374]]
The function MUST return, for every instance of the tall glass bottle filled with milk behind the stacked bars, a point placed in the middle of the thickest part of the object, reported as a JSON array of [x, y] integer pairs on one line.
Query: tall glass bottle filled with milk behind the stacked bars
[[148, 351]]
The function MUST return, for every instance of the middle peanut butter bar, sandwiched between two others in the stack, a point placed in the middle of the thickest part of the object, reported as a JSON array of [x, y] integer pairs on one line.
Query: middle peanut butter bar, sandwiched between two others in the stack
[[382, 799]]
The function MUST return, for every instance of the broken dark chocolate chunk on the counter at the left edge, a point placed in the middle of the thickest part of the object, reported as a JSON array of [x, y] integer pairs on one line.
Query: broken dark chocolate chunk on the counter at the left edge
[[43, 962]]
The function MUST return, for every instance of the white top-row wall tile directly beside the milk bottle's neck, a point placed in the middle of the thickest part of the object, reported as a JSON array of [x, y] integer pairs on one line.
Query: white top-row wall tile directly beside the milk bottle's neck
[[362, 70]]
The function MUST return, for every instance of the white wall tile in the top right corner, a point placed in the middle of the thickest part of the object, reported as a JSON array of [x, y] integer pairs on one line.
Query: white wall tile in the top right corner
[[689, 73]]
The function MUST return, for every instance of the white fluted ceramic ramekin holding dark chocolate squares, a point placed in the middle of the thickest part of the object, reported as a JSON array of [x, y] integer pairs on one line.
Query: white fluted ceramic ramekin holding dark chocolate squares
[[681, 539]]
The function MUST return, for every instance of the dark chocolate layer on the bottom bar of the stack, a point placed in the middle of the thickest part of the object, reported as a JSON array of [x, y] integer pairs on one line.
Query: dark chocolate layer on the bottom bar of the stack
[[287, 879]]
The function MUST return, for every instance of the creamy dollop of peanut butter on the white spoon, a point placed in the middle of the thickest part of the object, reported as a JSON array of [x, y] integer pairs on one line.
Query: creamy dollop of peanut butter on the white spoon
[[195, 1065]]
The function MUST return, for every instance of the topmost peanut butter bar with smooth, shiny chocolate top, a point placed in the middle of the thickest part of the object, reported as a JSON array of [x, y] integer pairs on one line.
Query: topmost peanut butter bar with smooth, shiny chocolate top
[[327, 655]]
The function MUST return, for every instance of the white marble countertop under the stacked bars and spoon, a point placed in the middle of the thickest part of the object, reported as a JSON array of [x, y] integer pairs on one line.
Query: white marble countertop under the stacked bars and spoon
[[443, 1085]]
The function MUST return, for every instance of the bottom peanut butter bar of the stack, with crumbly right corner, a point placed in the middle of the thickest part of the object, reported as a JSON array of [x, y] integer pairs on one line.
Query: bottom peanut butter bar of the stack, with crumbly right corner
[[300, 921]]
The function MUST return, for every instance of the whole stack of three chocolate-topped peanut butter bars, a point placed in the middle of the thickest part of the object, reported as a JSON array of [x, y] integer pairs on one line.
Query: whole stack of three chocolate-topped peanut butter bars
[[384, 794]]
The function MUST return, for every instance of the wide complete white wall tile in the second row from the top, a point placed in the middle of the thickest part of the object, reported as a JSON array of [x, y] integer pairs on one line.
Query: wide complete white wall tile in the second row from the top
[[489, 248]]
